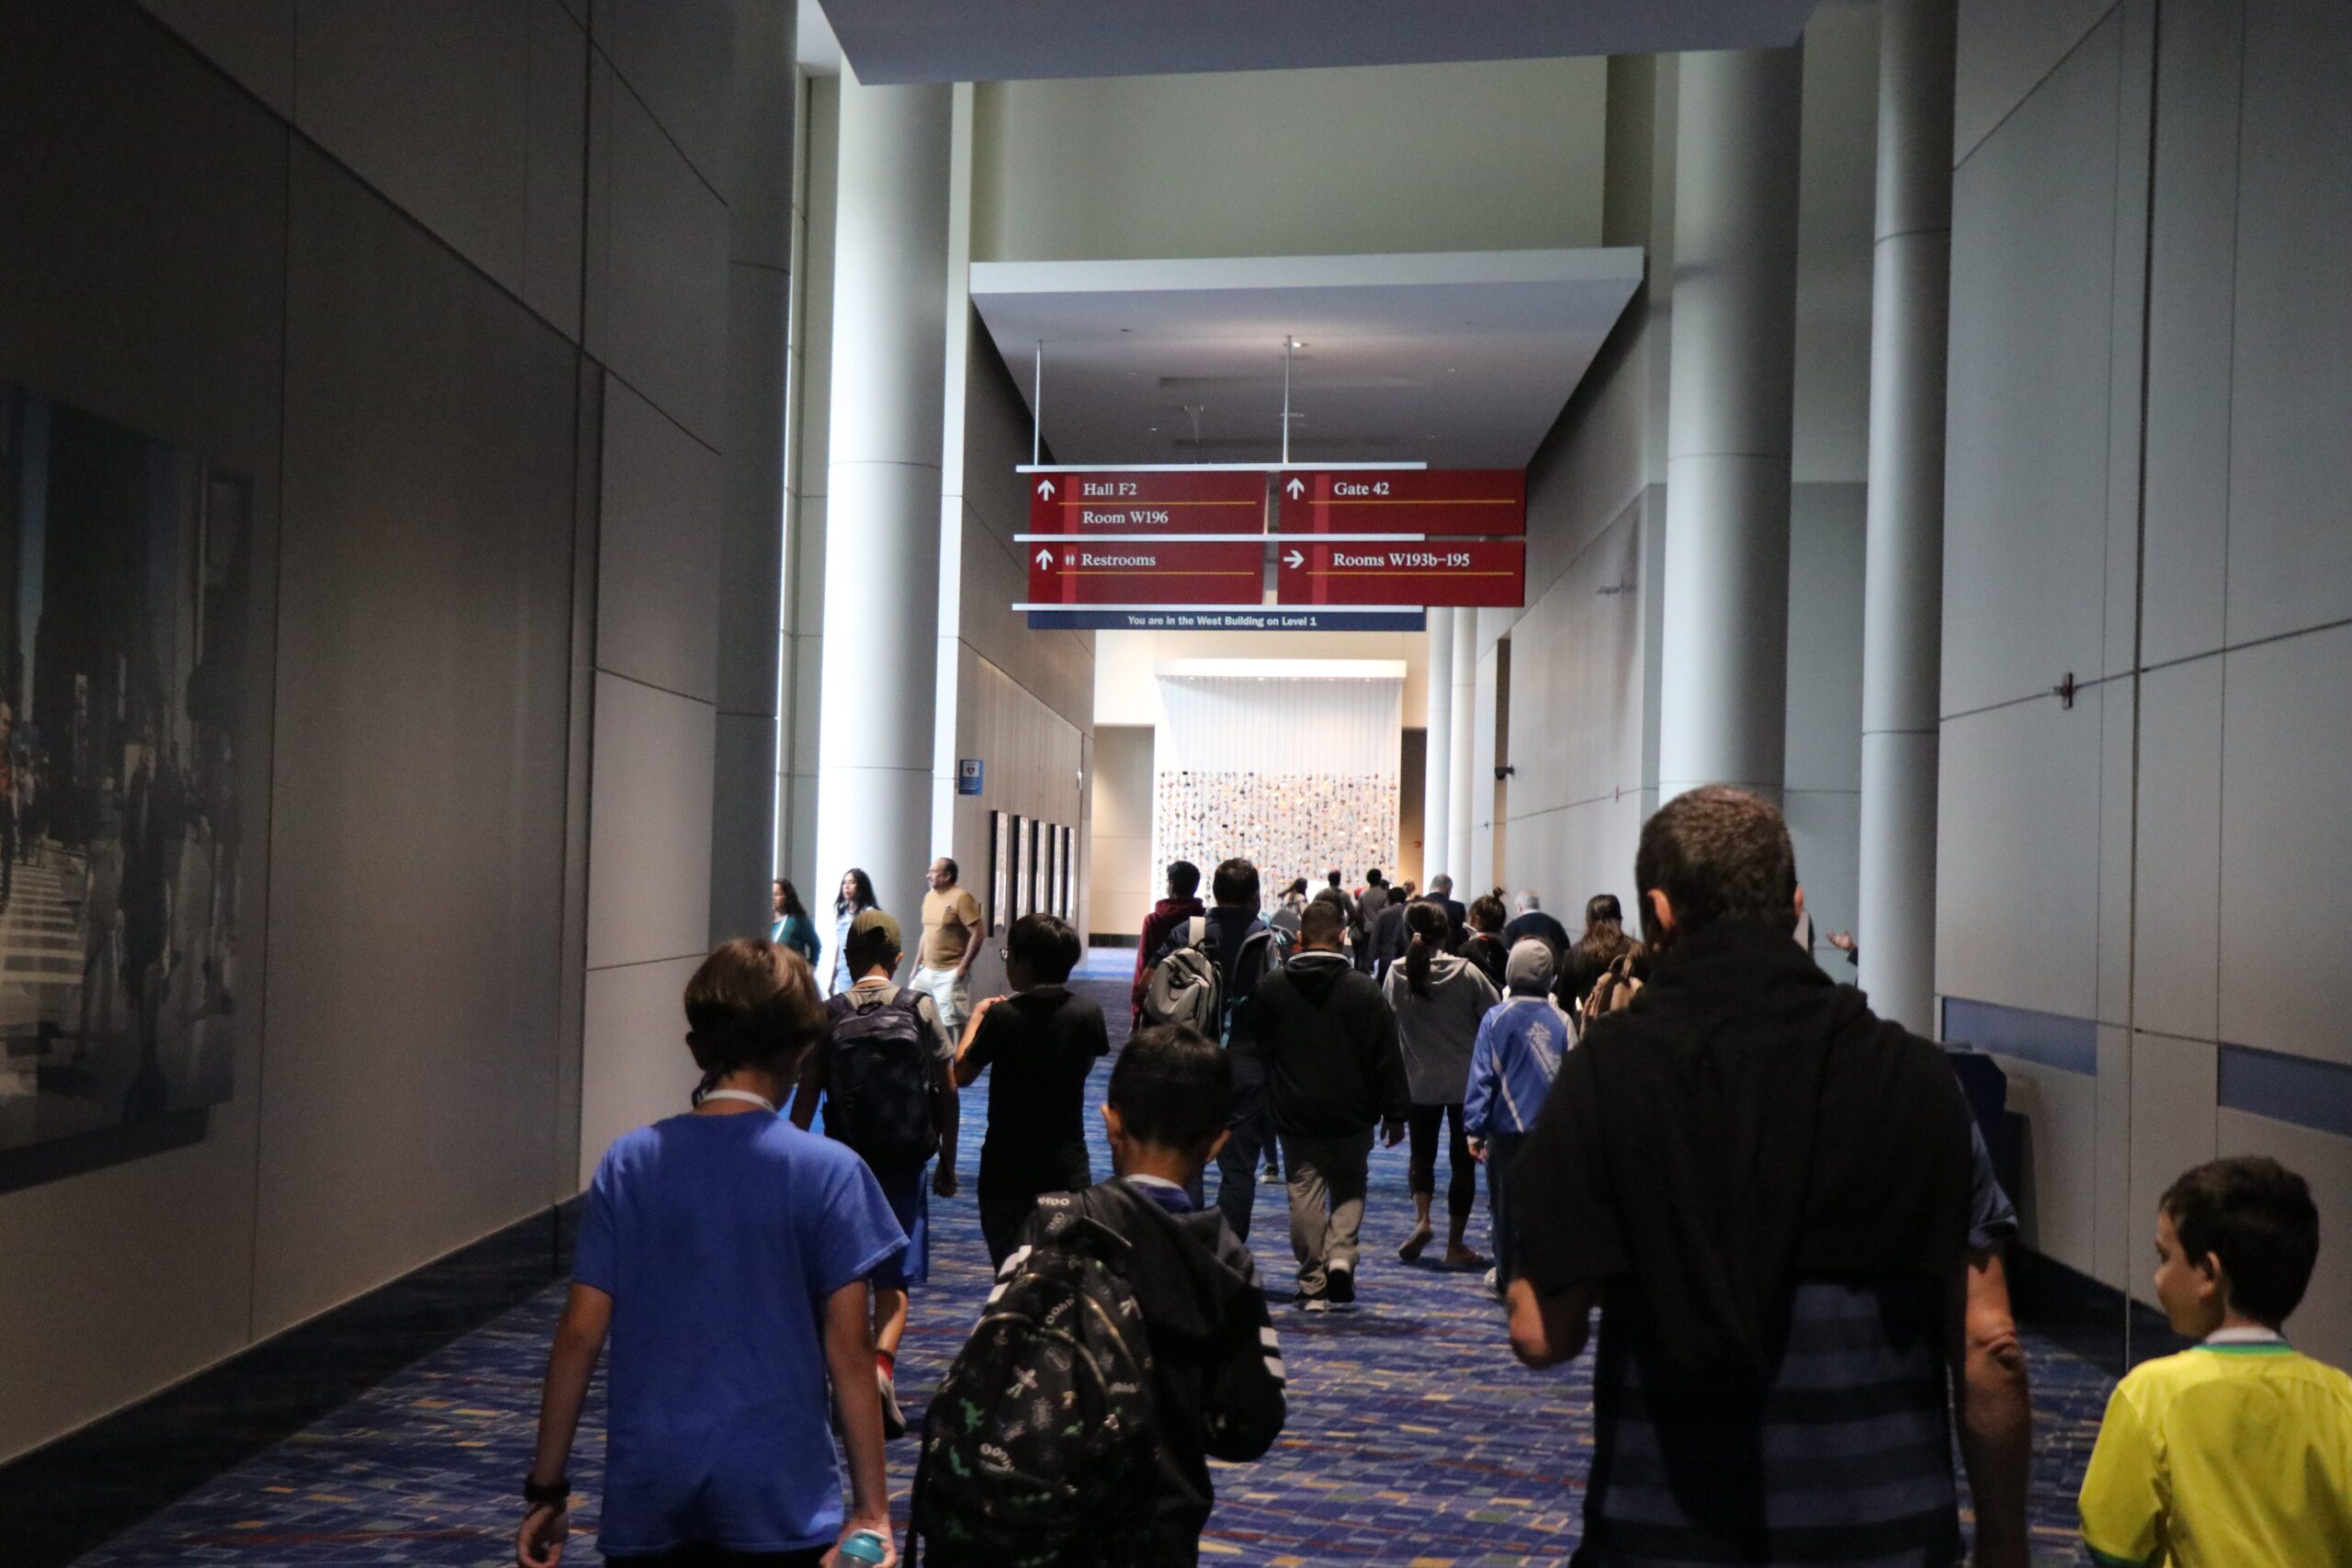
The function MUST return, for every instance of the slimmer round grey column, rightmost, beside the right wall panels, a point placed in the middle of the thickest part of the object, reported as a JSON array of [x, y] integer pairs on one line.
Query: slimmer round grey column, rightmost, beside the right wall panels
[[1904, 577]]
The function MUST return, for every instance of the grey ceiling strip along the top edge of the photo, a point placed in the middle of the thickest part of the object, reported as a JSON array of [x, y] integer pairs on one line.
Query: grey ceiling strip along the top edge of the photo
[[994, 41]]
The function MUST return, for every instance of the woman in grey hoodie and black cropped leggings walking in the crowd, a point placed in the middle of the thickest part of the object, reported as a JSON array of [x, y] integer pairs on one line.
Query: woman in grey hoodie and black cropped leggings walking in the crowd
[[1441, 1000]]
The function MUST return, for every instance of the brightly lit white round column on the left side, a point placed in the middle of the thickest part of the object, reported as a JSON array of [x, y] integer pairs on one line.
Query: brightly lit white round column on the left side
[[890, 297]]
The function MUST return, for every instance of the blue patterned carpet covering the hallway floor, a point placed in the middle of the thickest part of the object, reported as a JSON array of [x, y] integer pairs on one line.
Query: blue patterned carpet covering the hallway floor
[[1415, 1438]]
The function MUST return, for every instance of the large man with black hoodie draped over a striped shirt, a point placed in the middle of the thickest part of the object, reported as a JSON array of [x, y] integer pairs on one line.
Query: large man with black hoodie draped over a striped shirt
[[1770, 1195]]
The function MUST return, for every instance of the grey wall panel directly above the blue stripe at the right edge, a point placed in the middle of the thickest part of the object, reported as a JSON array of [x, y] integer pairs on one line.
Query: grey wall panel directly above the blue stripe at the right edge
[[2287, 847]]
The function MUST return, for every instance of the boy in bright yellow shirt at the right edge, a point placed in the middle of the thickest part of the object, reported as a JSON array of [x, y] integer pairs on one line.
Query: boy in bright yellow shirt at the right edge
[[2236, 1454]]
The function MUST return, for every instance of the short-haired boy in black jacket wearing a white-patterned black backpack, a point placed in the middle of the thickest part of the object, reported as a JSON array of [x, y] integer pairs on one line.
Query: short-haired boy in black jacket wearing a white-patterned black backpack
[[1123, 1348]]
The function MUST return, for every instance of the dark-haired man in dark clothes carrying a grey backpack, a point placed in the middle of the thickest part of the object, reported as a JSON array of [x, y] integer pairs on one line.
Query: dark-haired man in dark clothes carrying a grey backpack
[[1203, 979]]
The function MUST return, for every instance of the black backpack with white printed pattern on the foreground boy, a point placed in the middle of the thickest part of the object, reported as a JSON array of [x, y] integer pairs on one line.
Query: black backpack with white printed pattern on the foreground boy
[[1041, 1447]]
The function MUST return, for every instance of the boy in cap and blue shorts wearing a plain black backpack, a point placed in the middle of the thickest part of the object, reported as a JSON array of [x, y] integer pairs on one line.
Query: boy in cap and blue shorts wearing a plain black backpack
[[888, 1078]]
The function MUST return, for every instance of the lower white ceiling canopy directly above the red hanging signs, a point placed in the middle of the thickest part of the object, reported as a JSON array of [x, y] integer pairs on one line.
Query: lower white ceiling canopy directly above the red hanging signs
[[1459, 361]]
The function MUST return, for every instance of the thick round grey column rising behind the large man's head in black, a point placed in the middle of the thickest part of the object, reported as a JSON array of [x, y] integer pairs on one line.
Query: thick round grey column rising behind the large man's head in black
[[1723, 688]]
